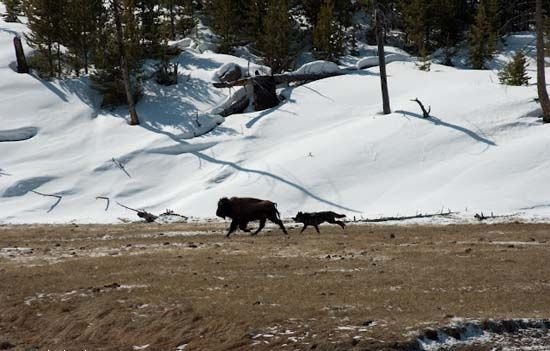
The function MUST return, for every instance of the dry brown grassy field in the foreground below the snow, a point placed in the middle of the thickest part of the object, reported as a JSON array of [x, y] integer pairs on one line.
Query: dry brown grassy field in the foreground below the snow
[[185, 286]]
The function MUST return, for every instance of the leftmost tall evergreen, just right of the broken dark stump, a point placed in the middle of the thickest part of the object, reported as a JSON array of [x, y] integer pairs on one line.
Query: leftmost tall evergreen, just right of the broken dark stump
[[46, 18]]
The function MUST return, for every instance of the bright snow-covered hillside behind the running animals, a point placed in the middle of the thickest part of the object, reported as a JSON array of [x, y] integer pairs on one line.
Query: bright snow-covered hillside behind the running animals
[[326, 147]]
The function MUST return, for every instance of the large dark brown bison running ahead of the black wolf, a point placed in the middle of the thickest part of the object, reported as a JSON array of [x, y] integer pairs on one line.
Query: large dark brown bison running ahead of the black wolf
[[246, 209]]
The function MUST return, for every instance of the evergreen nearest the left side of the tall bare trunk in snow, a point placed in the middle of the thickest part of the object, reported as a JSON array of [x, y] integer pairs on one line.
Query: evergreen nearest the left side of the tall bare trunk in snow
[[328, 34]]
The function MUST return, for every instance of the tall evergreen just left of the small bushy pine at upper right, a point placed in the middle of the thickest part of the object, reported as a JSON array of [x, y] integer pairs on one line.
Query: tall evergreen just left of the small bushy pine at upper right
[[482, 38]]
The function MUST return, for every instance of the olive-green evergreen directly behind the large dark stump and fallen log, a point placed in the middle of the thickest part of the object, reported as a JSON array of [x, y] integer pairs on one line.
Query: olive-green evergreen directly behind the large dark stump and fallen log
[[278, 31]]
